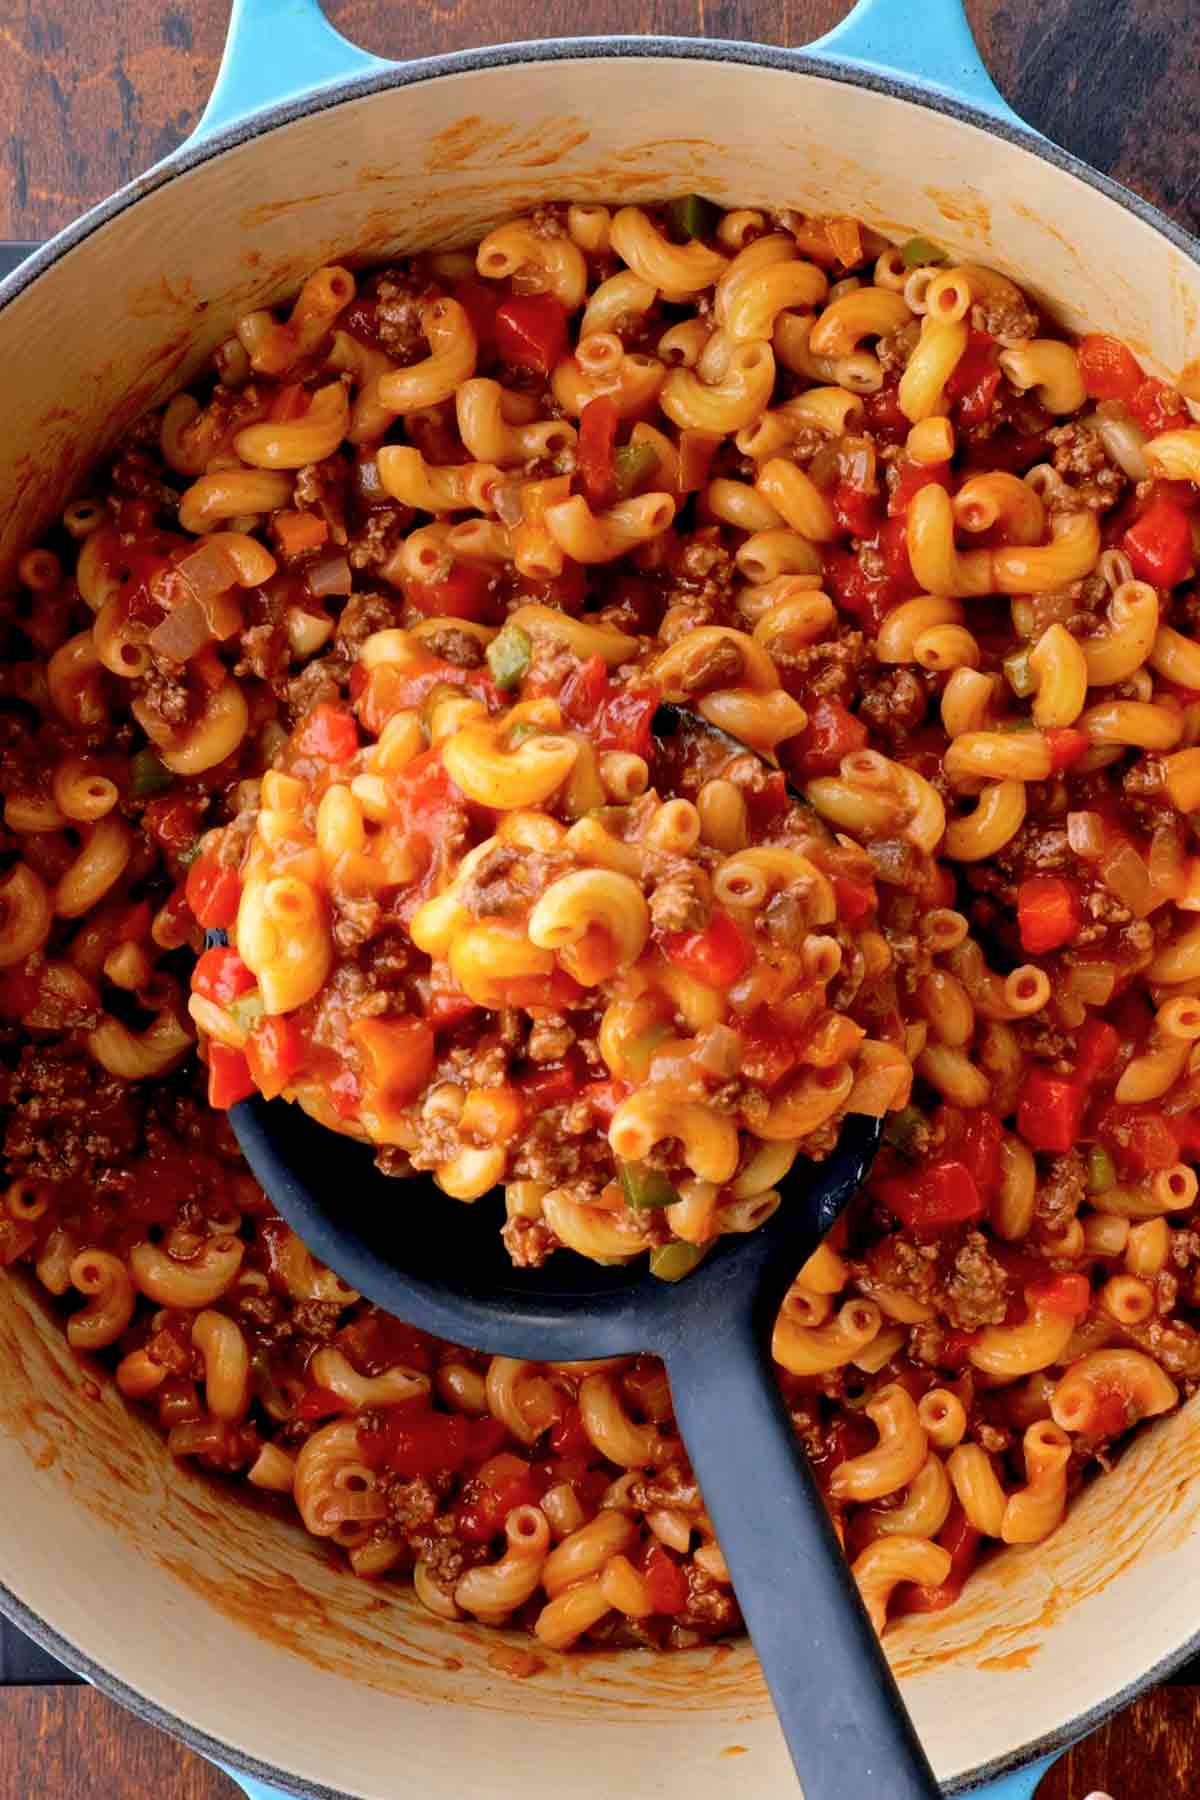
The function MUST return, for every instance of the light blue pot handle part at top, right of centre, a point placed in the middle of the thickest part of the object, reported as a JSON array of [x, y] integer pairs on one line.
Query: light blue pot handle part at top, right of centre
[[926, 40]]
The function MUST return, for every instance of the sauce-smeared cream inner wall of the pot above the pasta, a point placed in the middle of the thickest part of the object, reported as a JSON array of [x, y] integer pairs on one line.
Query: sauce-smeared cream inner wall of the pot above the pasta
[[220, 1615]]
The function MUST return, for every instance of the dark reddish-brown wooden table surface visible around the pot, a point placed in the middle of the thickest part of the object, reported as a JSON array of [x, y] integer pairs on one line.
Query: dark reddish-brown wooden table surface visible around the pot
[[94, 91]]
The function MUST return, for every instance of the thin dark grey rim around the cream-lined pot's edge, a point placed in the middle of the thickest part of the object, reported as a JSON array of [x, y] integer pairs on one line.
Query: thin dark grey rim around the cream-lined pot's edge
[[613, 48]]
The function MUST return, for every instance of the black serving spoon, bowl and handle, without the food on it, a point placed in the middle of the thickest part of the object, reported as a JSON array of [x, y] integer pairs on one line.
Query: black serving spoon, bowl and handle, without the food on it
[[442, 1266]]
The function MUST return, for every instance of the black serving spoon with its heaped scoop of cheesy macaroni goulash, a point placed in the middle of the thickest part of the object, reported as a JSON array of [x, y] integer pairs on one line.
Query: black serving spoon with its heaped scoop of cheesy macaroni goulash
[[611, 994]]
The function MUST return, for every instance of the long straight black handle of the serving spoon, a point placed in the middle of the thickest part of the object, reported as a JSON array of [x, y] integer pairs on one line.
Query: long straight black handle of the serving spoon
[[834, 1691]]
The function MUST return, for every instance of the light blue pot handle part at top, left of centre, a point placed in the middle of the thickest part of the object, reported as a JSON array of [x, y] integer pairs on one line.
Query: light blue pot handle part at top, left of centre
[[278, 51]]
